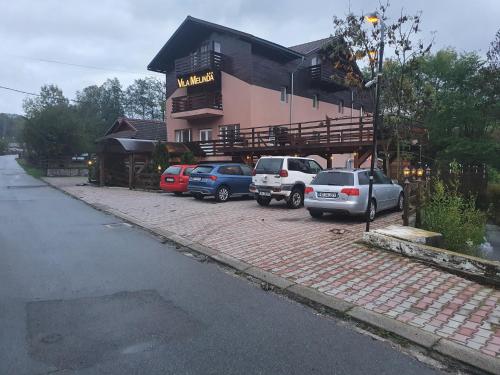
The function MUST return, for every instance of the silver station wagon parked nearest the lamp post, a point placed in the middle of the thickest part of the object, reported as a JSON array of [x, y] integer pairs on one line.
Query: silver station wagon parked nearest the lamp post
[[346, 191]]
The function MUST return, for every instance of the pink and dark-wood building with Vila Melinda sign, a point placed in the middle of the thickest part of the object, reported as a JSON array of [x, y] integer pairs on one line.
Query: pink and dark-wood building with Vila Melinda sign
[[222, 82]]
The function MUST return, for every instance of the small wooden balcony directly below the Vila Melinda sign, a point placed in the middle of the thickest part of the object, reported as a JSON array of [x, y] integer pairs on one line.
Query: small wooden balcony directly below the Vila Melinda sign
[[207, 104]]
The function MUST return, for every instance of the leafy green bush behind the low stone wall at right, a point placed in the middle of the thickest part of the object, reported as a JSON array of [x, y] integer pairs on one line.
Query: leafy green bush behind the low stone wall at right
[[456, 218]]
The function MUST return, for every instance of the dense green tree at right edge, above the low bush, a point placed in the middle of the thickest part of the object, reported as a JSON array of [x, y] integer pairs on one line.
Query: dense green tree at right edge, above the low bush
[[459, 106]]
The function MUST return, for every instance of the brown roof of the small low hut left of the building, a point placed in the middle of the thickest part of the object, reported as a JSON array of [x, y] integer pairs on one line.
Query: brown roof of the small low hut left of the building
[[131, 128]]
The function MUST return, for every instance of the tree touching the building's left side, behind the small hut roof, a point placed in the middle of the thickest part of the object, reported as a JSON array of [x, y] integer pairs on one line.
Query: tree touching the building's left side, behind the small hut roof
[[145, 99]]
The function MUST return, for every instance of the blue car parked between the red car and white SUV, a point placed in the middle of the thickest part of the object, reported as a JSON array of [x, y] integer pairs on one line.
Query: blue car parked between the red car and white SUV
[[220, 181]]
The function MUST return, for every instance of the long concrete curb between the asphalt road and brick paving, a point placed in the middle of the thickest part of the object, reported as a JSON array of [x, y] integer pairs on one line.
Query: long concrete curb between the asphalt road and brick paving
[[434, 344]]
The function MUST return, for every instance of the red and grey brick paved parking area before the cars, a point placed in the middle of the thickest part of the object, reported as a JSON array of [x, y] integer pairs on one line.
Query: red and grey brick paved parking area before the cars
[[312, 252]]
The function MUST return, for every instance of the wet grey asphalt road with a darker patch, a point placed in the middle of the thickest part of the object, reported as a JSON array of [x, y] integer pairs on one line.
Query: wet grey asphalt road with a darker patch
[[81, 293]]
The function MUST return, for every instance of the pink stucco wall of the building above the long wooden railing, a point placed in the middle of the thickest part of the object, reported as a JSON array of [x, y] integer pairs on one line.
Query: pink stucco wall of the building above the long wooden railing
[[251, 106]]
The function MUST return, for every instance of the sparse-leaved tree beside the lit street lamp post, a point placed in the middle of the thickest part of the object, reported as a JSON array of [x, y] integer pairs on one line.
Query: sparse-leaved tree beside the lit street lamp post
[[355, 40]]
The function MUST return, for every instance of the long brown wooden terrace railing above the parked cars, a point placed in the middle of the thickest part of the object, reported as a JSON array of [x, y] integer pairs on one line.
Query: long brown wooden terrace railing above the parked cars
[[340, 135]]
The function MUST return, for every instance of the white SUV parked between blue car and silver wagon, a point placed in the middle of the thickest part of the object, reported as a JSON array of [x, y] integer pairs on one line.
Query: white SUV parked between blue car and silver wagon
[[283, 177]]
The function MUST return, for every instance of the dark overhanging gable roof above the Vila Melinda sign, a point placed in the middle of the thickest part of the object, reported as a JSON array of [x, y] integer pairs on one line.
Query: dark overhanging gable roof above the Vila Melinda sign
[[194, 30]]
